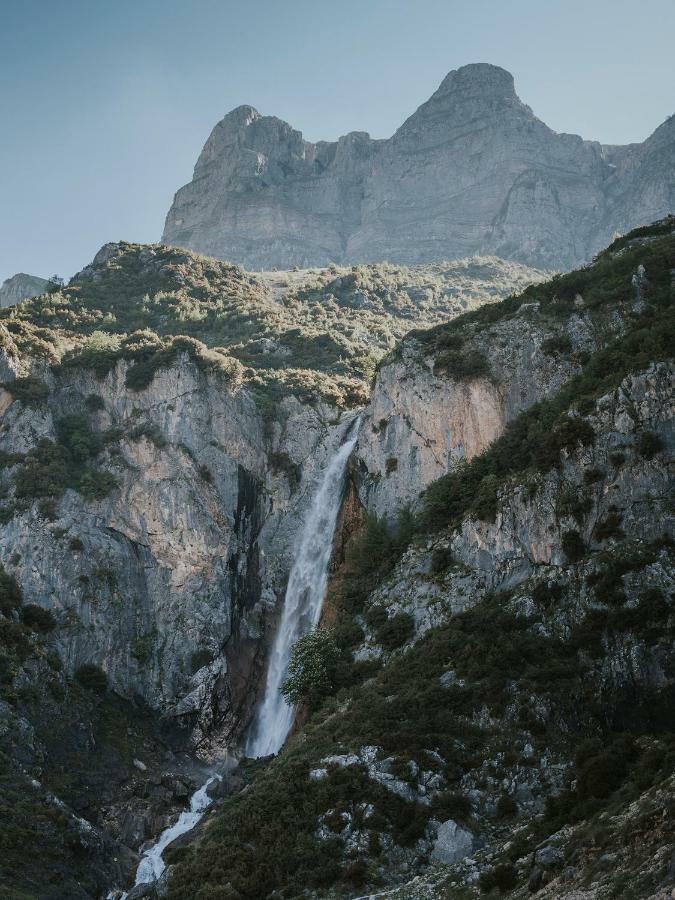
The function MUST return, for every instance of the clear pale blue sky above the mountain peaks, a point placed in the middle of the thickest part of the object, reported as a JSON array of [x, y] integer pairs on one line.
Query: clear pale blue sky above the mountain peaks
[[105, 104]]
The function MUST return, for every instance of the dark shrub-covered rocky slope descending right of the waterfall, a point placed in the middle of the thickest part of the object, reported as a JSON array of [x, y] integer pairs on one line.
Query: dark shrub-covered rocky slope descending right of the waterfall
[[500, 720]]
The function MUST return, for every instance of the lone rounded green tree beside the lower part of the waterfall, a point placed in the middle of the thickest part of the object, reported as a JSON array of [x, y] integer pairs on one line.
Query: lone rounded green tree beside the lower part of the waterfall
[[312, 668]]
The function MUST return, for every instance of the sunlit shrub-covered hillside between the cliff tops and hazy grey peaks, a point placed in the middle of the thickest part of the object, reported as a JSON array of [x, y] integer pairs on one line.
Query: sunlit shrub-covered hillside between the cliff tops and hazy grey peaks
[[318, 332]]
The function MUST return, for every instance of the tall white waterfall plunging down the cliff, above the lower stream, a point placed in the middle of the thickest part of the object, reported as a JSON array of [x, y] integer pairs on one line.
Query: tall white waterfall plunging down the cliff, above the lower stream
[[303, 601]]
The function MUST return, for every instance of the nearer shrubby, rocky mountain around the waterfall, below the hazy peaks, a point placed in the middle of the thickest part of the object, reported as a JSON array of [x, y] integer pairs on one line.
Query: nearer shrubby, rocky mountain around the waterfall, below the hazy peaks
[[499, 709]]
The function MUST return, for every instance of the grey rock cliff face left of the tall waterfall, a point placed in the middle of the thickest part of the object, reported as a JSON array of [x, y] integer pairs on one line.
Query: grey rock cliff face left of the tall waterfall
[[166, 582]]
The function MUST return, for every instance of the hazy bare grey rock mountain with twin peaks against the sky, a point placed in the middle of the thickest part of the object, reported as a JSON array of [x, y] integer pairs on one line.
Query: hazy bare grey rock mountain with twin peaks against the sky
[[471, 171]]
